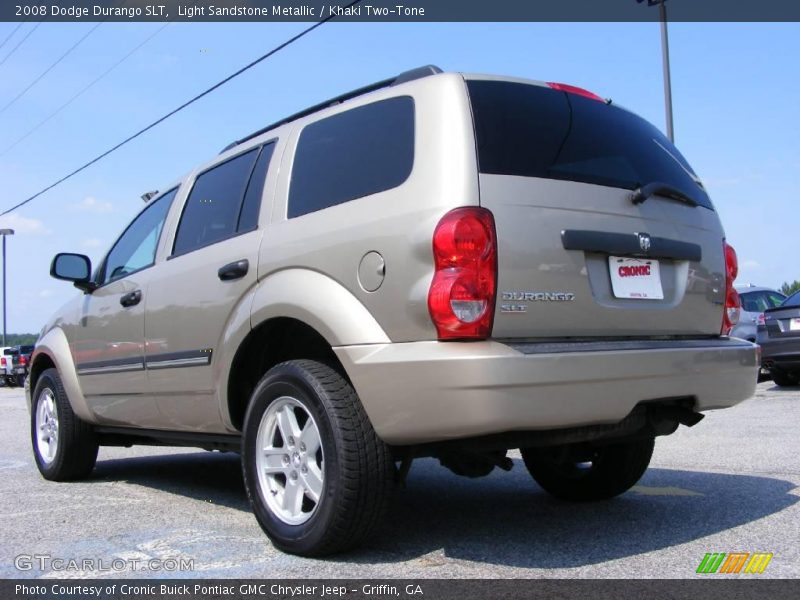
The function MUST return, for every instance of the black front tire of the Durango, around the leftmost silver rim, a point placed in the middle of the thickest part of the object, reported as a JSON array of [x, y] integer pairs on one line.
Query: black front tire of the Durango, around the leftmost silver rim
[[76, 446]]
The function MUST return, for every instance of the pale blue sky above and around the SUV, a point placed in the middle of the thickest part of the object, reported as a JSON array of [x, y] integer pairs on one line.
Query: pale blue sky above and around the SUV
[[736, 98]]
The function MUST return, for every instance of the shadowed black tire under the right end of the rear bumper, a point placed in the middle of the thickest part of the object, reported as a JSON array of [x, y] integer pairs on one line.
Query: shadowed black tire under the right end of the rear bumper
[[596, 473]]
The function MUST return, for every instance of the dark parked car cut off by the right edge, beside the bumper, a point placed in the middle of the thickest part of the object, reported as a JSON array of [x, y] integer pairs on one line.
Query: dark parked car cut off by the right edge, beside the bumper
[[779, 338]]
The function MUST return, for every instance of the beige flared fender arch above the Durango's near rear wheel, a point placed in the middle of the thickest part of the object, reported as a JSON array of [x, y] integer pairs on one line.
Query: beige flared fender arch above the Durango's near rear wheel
[[319, 302]]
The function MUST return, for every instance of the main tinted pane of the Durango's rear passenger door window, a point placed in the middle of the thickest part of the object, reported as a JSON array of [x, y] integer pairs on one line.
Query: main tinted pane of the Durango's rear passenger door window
[[212, 210]]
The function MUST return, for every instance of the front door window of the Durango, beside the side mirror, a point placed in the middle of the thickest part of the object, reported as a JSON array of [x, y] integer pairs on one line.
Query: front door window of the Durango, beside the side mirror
[[136, 247]]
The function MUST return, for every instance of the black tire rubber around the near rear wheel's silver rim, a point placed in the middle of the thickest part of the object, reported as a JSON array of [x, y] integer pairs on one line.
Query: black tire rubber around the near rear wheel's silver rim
[[357, 467]]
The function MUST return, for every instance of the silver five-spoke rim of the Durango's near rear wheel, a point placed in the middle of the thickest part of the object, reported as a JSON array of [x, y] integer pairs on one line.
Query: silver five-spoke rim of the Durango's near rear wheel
[[290, 462]]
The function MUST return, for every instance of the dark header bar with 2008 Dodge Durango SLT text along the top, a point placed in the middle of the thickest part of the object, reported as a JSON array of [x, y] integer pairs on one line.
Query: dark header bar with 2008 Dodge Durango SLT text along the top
[[399, 10]]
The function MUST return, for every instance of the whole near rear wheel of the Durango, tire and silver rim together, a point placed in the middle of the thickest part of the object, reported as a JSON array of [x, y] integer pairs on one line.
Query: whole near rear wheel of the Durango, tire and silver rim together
[[316, 473]]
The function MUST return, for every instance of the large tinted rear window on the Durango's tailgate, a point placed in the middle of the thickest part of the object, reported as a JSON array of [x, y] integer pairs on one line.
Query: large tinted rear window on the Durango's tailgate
[[536, 131]]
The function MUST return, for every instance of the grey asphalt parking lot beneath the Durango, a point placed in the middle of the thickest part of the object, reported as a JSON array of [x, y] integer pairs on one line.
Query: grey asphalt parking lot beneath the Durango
[[729, 484]]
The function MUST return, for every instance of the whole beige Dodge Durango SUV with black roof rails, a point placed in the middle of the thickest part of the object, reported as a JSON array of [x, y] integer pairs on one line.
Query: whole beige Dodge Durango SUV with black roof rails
[[436, 265]]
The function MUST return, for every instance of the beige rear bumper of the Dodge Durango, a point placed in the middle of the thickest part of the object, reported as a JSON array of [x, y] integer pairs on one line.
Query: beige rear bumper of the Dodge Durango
[[435, 391]]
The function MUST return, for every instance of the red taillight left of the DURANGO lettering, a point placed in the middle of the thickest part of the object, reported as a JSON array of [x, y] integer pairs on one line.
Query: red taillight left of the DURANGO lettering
[[464, 287]]
